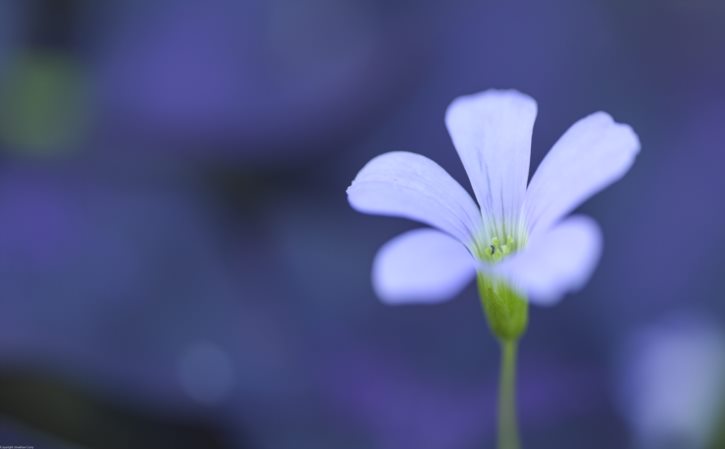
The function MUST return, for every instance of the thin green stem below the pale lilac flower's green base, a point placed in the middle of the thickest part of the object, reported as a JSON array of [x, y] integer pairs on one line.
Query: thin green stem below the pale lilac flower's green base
[[508, 428]]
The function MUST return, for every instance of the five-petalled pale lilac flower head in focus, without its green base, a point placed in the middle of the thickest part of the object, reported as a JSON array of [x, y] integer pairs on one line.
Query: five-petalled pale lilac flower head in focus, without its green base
[[518, 234]]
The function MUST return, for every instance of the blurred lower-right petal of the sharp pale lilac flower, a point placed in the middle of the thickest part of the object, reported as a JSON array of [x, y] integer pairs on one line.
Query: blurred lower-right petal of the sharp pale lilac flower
[[558, 261]]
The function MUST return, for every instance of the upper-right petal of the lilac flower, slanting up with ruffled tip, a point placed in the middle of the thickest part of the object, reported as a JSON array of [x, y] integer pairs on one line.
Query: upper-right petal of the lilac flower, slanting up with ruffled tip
[[593, 153]]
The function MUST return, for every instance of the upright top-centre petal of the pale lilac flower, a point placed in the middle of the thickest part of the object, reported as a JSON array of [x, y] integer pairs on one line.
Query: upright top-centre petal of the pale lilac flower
[[492, 134]]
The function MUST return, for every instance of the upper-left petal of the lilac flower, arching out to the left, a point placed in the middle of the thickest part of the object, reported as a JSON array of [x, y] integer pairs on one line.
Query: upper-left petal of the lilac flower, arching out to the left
[[409, 185]]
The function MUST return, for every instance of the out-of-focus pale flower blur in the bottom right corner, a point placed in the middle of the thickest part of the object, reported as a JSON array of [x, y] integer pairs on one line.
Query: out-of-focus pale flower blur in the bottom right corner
[[671, 382]]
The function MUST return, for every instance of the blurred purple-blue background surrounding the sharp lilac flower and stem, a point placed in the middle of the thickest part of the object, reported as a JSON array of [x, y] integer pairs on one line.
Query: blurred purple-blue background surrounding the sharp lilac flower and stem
[[179, 266]]
